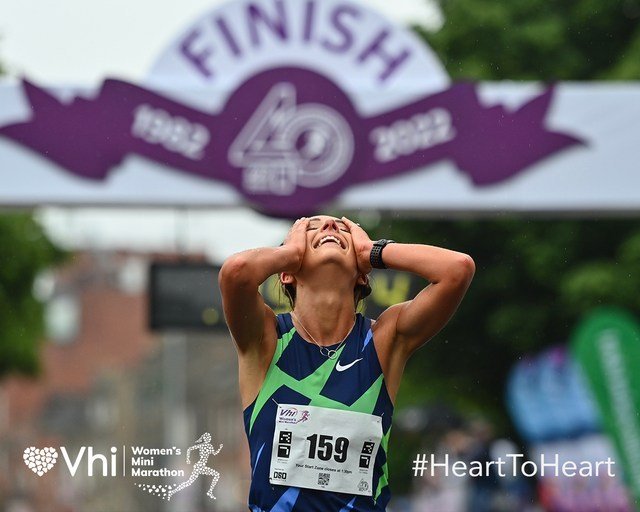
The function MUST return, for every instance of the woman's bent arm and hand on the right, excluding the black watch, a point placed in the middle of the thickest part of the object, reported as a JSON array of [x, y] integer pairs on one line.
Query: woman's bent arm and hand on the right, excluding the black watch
[[448, 272]]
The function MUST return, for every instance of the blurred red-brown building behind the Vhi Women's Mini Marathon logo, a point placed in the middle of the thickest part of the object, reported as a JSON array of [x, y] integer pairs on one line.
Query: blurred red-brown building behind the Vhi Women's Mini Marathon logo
[[109, 383]]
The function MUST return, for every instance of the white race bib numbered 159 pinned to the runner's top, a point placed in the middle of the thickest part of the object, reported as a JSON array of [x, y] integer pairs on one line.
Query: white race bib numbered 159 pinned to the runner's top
[[325, 449]]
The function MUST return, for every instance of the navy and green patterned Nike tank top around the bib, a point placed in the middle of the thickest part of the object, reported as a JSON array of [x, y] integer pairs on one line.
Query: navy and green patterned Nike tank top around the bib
[[298, 375]]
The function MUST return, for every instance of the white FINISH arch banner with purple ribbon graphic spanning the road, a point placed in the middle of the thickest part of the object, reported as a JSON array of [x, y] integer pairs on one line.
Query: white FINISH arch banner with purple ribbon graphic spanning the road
[[289, 106]]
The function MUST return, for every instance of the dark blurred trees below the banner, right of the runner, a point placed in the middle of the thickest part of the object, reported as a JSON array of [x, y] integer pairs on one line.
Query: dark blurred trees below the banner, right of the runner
[[534, 279]]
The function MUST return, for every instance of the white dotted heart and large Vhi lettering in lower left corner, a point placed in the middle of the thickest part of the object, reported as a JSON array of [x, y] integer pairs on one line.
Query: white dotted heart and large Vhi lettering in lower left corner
[[41, 460]]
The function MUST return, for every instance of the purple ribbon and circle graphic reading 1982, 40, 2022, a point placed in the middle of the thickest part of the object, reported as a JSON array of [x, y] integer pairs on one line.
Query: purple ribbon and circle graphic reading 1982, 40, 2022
[[288, 139]]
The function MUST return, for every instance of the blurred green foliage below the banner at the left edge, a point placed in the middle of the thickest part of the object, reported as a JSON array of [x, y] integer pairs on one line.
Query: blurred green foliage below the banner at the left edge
[[26, 251]]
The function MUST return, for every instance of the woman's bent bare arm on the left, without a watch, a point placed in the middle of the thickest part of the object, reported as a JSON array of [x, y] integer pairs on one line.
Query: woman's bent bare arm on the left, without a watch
[[245, 312]]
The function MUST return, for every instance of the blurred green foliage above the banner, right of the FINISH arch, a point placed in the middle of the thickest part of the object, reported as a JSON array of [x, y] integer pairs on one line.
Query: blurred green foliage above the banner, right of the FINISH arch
[[538, 40]]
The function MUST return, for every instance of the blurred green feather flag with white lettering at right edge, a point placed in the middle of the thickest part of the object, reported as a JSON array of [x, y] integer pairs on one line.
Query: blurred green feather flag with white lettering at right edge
[[607, 346]]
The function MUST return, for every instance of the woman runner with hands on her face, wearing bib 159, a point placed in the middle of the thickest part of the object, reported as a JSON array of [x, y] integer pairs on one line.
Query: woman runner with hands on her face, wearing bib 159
[[318, 384]]
